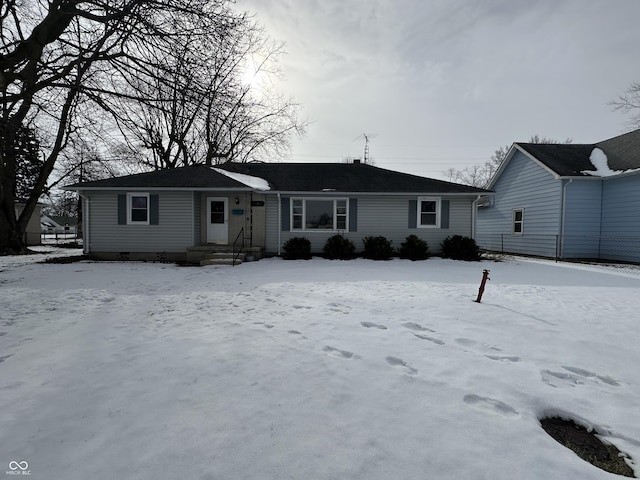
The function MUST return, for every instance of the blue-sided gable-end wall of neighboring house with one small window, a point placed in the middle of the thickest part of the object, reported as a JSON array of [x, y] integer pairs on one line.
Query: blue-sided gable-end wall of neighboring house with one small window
[[523, 184]]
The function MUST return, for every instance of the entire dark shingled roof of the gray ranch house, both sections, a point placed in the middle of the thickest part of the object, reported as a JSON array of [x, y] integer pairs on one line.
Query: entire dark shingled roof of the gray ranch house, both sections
[[288, 177]]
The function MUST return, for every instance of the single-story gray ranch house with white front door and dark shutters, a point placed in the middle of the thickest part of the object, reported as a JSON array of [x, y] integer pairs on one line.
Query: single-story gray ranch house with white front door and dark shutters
[[187, 213]]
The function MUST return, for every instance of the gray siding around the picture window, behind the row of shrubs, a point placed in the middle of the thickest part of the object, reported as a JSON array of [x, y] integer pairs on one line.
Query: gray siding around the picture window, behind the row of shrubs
[[377, 215]]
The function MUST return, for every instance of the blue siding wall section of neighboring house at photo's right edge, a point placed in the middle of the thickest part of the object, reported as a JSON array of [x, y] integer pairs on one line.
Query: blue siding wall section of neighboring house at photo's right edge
[[621, 219]]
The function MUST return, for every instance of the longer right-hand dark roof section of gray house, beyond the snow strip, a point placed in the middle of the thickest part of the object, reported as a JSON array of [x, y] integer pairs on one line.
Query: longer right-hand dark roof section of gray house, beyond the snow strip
[[343, 177]]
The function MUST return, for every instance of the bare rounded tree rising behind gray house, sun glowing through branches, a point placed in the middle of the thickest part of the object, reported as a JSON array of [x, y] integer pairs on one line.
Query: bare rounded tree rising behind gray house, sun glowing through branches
[[206, 112]]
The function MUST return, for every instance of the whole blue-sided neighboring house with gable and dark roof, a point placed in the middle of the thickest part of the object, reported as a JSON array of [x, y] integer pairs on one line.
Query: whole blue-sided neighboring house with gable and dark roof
[[569, 201]]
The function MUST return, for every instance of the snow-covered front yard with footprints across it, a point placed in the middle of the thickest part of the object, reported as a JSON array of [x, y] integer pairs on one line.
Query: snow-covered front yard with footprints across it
[[313, 369]]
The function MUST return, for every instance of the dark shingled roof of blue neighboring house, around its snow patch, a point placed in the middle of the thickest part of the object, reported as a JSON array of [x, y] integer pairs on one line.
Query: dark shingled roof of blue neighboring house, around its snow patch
[[571, 160]]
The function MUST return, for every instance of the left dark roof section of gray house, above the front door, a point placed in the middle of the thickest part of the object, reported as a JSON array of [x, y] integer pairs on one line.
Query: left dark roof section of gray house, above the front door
[[198, 176]]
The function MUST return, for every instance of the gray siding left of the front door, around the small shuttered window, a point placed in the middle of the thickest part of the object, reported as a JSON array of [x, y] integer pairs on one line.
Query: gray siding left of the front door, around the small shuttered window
[[174, 233]]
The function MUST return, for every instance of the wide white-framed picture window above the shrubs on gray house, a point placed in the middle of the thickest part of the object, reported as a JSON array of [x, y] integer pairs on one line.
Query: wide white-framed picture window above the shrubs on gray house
[[319, 214]]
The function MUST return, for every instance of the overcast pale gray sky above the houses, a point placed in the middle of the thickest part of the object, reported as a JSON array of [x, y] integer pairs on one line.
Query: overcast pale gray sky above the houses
[[444, 83]]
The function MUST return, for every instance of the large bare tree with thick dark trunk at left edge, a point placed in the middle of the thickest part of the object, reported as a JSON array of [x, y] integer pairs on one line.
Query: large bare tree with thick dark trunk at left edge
[[59, 59]]
